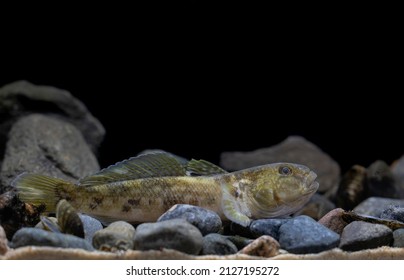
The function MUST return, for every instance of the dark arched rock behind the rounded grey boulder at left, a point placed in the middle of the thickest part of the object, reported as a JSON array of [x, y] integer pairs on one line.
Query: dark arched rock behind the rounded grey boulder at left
[[20, 98]]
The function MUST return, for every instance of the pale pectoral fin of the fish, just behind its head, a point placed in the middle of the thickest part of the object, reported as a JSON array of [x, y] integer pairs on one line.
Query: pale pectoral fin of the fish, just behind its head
[[235, 210]]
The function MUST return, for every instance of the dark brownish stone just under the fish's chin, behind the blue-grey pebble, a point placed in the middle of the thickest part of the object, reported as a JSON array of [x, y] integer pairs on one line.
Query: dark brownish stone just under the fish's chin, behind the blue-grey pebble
[[316, 207]]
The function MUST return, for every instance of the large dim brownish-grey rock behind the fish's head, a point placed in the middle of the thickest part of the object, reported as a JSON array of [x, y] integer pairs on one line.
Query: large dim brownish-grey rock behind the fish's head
[[294, 149]]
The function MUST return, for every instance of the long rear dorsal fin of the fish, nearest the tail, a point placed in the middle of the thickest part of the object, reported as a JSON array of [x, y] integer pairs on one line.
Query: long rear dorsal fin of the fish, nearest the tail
[[143, 166]]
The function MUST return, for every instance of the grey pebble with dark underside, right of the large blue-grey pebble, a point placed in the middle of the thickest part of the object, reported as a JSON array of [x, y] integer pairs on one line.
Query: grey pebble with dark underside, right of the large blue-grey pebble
[[362, 235]]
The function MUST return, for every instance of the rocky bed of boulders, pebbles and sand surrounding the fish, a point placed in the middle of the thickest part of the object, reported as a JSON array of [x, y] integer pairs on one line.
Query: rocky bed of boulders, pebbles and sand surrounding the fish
[[356, 215]]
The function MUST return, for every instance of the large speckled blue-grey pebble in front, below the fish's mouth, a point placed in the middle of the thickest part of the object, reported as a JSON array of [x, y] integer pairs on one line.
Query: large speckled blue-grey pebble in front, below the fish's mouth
[[303, 235]]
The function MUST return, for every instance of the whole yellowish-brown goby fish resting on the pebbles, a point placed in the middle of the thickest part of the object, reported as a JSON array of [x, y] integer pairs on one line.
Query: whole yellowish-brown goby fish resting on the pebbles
[[142, 188]]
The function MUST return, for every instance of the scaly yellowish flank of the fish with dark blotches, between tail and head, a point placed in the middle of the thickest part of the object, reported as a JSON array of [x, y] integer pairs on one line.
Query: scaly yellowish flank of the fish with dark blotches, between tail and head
[[144, 200]]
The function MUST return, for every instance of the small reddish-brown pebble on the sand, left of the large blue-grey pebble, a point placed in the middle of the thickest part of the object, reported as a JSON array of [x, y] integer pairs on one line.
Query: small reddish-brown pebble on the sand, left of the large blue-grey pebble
[[264, 246]]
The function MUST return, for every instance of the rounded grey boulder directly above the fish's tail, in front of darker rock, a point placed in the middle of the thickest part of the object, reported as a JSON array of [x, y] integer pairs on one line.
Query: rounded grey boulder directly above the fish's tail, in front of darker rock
[[47, 145]]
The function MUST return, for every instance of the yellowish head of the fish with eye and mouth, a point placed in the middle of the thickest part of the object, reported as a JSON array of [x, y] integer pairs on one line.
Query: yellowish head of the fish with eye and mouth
[[280, 189]]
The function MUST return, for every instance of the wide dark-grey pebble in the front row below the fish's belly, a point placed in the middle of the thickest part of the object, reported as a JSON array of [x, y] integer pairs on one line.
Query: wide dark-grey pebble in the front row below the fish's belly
[[175, 234]]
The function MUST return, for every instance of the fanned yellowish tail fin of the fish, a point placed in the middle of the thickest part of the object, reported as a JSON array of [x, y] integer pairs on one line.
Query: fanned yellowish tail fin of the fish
[[41, 190]]
